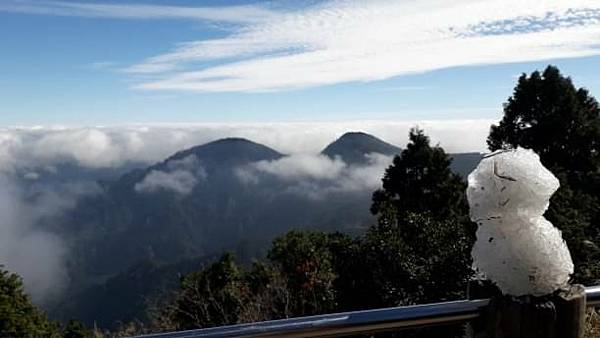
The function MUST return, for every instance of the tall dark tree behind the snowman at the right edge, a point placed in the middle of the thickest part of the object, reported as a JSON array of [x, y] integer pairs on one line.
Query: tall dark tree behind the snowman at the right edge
[[561, 123]]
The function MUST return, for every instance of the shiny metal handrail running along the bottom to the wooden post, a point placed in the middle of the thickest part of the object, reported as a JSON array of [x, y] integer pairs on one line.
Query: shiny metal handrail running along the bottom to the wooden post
[[357, 322]]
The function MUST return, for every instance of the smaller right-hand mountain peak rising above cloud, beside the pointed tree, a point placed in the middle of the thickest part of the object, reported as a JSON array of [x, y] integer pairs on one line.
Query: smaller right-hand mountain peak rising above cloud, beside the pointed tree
[[353, 146]]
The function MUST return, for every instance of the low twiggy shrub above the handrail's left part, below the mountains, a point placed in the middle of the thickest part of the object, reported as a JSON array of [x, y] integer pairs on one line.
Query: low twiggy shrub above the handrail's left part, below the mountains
[[224, 293]]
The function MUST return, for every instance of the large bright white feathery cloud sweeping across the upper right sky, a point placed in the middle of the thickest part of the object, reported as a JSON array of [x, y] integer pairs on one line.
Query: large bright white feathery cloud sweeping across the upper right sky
[[350, 41]]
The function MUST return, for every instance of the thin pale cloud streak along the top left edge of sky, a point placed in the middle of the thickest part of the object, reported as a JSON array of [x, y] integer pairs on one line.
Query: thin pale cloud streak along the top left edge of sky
[[241, 14]]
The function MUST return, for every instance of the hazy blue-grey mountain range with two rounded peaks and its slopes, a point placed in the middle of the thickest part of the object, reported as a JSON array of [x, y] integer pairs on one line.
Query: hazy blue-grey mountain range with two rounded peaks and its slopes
[[124, 225]]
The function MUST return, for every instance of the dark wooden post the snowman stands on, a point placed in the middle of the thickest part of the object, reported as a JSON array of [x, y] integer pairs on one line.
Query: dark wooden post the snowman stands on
[[560, 315]]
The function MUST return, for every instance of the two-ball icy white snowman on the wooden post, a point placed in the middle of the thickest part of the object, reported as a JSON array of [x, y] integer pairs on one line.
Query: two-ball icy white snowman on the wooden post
[[516, 247]]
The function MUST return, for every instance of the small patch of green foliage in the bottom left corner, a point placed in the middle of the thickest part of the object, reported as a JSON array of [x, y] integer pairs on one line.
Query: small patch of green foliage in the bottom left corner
[[18, 316]]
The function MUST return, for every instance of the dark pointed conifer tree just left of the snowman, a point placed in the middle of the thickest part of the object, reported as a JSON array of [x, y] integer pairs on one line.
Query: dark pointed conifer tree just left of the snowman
[[419, 251]]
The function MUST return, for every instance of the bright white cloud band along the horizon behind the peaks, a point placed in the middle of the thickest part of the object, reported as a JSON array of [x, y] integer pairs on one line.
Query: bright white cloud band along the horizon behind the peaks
[[108, 147]]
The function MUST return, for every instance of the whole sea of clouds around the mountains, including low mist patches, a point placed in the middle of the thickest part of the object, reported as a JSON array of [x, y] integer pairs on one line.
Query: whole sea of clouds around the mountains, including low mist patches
[[31, 155]]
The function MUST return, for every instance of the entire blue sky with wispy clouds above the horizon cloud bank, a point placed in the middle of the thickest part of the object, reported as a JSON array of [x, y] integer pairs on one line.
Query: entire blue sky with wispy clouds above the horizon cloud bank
[[90, 63]]
